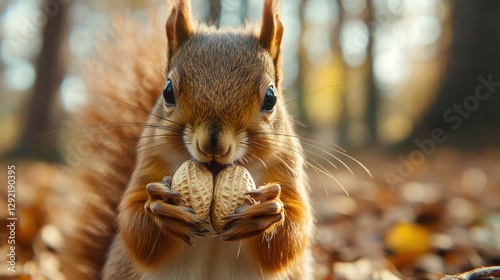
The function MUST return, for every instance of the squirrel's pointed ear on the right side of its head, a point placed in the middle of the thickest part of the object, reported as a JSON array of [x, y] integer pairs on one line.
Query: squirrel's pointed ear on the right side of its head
[[271, 31]]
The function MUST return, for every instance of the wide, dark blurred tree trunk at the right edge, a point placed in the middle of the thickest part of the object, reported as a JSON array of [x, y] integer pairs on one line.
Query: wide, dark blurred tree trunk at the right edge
[[466, 110]]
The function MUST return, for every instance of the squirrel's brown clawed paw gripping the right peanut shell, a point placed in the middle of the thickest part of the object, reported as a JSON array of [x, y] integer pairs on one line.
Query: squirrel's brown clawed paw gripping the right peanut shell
[[266, 213]]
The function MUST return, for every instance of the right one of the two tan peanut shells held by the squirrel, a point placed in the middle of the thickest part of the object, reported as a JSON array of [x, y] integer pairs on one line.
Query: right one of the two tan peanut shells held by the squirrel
[[231, 185]]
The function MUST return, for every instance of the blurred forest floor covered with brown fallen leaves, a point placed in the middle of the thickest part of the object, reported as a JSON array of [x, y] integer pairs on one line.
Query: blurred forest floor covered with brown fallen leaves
[[419, 217]]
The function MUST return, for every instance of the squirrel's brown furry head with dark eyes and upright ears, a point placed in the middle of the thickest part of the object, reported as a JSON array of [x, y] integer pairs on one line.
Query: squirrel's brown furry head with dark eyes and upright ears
[[224, 87]]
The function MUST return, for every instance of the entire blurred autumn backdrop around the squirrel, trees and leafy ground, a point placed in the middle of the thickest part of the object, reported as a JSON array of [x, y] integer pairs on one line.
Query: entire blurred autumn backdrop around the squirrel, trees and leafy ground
[[406, 87]]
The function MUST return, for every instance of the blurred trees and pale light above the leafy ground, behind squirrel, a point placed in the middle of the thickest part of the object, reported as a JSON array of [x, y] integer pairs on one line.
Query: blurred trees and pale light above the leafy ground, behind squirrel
[[358, 73]]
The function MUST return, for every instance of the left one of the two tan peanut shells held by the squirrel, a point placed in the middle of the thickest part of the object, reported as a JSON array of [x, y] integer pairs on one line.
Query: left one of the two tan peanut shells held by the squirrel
[[195, 183]]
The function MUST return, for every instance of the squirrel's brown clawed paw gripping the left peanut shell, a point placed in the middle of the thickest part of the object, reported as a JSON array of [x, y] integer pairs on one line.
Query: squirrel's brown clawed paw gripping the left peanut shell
[[179, 221]]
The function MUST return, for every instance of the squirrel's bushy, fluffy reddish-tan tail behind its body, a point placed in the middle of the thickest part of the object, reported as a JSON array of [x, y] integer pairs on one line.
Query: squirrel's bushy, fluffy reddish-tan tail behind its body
[[122, 86]]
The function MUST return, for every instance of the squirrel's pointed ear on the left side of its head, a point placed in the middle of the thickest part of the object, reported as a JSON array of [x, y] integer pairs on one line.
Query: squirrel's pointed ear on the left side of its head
[[179, 25]]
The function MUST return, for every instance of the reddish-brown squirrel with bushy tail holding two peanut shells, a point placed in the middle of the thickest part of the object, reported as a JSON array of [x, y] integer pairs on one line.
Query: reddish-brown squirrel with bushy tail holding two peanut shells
[[196, 92]]
